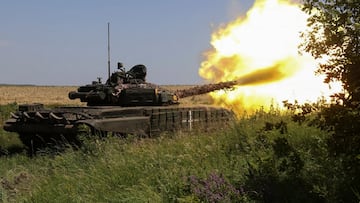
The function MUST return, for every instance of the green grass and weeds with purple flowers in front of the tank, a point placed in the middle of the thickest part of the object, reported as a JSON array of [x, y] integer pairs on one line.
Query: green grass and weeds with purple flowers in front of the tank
[[267, 157]]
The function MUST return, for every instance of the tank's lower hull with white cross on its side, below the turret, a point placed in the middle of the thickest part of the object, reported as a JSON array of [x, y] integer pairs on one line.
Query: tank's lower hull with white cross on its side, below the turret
[[64, 122]]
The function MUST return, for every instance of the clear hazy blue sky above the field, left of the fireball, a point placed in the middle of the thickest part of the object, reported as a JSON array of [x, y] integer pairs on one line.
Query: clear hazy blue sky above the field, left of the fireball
[[64, 42]]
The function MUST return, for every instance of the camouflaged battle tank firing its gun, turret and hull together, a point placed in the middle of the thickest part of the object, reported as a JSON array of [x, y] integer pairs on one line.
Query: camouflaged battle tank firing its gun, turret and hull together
[[124, 104]]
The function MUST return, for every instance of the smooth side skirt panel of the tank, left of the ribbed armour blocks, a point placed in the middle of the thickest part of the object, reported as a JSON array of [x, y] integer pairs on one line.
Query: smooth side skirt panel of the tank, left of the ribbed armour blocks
[[127, 125]]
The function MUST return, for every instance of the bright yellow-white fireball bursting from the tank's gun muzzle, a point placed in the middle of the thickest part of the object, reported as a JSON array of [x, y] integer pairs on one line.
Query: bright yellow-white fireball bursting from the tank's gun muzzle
[[260, 51]]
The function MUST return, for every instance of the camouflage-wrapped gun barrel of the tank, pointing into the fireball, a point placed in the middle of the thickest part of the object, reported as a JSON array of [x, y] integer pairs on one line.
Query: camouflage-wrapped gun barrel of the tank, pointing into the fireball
[[203, 89]]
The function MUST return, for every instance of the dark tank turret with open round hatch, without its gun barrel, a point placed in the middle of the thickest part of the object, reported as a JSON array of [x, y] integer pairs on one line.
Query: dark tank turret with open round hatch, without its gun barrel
[[125, 89]]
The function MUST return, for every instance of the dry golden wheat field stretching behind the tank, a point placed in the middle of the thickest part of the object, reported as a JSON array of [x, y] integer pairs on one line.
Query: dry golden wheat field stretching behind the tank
[[58, 95]]
